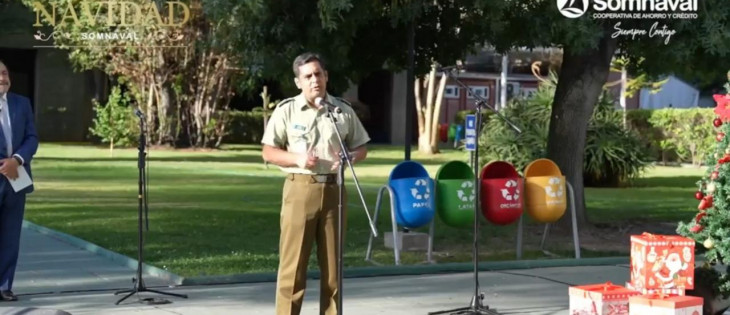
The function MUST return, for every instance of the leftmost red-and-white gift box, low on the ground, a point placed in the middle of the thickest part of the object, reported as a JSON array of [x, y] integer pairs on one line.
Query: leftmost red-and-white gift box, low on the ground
[[600, 299]]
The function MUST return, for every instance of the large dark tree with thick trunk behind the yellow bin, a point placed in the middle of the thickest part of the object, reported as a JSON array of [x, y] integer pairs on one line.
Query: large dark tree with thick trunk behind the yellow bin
[[589, 45]]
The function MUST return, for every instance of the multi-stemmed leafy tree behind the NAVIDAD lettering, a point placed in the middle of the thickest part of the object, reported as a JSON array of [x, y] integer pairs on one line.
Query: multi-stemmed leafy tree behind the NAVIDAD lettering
[[178, 71]]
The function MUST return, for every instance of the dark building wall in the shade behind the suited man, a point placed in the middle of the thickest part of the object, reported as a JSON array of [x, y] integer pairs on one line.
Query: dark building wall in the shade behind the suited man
[[61, 97]]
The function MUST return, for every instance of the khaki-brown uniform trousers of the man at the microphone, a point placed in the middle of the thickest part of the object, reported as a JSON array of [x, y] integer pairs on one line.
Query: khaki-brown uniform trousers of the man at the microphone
[[308, 213]]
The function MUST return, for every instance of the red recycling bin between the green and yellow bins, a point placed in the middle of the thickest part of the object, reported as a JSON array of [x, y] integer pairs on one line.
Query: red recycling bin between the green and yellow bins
[[501, 193]]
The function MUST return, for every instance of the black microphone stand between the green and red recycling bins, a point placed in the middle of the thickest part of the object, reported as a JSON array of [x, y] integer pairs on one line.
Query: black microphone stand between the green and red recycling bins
[[476, 307]]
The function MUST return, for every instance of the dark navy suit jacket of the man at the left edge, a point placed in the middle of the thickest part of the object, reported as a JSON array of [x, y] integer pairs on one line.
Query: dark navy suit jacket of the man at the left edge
[[25, 139]]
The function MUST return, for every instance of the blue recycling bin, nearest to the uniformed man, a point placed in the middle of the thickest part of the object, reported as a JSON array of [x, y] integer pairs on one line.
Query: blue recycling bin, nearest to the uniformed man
[[413, 191]]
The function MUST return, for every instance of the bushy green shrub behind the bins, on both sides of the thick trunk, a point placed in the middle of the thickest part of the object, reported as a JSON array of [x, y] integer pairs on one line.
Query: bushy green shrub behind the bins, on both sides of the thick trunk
[[612, 157]]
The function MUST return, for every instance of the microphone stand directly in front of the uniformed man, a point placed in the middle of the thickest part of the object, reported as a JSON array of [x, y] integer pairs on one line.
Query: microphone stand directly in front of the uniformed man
[[344, 156]]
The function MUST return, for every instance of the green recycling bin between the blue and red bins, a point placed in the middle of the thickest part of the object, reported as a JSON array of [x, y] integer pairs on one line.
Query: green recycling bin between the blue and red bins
[[455, 194]]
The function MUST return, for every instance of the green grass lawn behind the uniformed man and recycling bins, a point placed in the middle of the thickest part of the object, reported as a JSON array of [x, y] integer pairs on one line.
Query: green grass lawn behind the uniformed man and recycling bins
[[217, 212]]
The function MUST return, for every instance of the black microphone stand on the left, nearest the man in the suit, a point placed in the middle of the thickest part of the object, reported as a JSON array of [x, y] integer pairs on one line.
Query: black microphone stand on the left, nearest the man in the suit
[[143, 208]]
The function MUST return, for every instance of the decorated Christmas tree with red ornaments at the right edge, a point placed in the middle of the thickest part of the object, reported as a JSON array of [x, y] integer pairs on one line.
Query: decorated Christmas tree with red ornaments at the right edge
[[711, 225]]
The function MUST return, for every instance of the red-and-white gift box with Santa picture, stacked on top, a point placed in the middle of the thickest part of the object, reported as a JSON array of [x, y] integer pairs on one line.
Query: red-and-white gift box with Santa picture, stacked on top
[[662, 262]]
